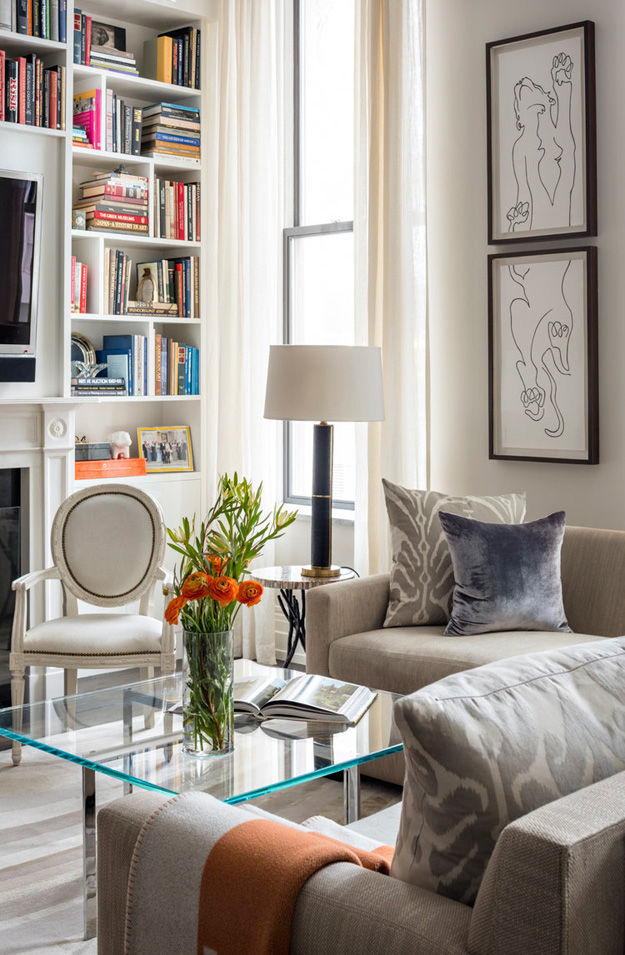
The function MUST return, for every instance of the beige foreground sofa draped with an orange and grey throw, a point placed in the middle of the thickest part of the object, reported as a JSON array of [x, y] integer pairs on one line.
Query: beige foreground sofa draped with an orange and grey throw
[[554, 886]]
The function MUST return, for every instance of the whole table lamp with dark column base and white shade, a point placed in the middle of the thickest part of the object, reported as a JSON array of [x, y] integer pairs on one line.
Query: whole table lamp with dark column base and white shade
[[323, 383]]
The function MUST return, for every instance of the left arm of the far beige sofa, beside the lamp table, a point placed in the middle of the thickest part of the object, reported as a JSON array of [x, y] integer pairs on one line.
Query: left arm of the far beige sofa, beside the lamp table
[[335, 610]]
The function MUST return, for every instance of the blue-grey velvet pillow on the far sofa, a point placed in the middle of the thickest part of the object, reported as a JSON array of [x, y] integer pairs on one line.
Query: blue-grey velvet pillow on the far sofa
[[507, 575]]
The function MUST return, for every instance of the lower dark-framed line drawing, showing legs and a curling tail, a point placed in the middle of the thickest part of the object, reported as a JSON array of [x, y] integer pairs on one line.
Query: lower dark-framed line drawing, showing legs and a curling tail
[[542, 351]]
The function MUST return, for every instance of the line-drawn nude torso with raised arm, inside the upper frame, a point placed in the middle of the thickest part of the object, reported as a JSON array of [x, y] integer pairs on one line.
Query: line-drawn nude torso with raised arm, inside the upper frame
[[543, 156]]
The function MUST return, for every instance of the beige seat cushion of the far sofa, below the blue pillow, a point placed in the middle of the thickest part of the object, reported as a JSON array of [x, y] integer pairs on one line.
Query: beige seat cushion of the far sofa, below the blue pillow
[[404, 659]]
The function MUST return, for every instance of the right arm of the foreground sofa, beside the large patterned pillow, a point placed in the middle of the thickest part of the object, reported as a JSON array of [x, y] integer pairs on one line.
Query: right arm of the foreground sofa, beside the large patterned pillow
[[556, 881]]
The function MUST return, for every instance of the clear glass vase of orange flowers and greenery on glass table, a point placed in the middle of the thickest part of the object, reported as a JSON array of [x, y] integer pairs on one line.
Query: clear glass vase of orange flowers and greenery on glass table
[[210, 586]]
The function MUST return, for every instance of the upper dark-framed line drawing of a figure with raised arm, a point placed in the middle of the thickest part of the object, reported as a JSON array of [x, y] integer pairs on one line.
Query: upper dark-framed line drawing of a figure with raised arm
[[542, 167]]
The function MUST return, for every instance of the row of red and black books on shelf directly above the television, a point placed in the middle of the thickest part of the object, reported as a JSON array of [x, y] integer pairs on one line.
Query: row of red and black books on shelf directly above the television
[[30, 94]]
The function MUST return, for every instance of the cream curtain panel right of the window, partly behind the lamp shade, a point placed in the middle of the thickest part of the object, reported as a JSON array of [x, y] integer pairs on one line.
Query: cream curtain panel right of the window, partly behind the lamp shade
[[390, 254]]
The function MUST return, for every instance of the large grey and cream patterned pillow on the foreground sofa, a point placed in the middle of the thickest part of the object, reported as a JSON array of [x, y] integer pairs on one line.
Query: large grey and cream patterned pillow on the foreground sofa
[[486, 746]]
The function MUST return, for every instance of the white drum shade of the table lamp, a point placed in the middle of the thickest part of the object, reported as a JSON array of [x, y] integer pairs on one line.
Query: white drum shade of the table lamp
[[324, 383]]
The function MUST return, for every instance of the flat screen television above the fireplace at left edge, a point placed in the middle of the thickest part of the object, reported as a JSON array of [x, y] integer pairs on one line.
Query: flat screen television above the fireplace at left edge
[[20, 244]]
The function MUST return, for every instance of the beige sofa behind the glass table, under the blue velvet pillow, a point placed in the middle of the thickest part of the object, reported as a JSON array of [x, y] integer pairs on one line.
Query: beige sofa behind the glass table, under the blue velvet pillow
[[345, 637]]
